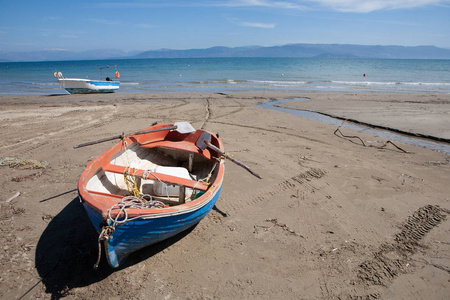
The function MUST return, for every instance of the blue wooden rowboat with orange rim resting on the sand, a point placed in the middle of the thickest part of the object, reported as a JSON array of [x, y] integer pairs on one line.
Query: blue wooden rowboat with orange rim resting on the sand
[[151, 186]]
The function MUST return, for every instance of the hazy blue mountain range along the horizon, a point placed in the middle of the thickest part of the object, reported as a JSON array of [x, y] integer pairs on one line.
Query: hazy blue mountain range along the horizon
[[290, 50]]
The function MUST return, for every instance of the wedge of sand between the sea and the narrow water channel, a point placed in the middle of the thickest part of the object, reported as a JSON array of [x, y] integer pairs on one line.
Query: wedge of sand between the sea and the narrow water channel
[[426, 115]]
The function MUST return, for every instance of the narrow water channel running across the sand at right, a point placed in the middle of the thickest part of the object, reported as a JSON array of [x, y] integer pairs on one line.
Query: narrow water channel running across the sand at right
[[387, 134]]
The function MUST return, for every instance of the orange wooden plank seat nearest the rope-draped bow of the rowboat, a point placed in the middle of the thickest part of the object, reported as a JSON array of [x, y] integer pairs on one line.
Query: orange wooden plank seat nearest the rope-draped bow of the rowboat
[[197, 185]]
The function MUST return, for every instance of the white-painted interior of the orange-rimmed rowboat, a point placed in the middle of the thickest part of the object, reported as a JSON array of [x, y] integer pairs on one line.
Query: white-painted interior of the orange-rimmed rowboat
[[154, 161]]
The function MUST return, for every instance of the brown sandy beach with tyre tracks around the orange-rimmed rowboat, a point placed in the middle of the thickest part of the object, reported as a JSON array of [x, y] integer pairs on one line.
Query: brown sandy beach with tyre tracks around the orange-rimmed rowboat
[[330, 218]]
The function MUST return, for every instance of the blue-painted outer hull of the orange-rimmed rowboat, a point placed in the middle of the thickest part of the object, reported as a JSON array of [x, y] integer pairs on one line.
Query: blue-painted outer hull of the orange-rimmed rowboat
[[135, 235]]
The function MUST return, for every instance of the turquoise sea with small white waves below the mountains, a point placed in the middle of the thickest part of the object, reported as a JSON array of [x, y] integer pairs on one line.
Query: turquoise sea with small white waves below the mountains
[[227, 75]]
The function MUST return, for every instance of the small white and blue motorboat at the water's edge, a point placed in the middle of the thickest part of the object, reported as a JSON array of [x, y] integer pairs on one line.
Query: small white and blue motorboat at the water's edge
[[88, 86]]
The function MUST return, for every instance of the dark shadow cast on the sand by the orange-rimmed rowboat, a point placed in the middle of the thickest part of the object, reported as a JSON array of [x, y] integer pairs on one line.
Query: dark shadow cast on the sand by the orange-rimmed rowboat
[[68, 249]]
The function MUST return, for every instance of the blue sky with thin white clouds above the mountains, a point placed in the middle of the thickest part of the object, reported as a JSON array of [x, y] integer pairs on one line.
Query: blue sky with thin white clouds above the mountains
[[148, 25]]
